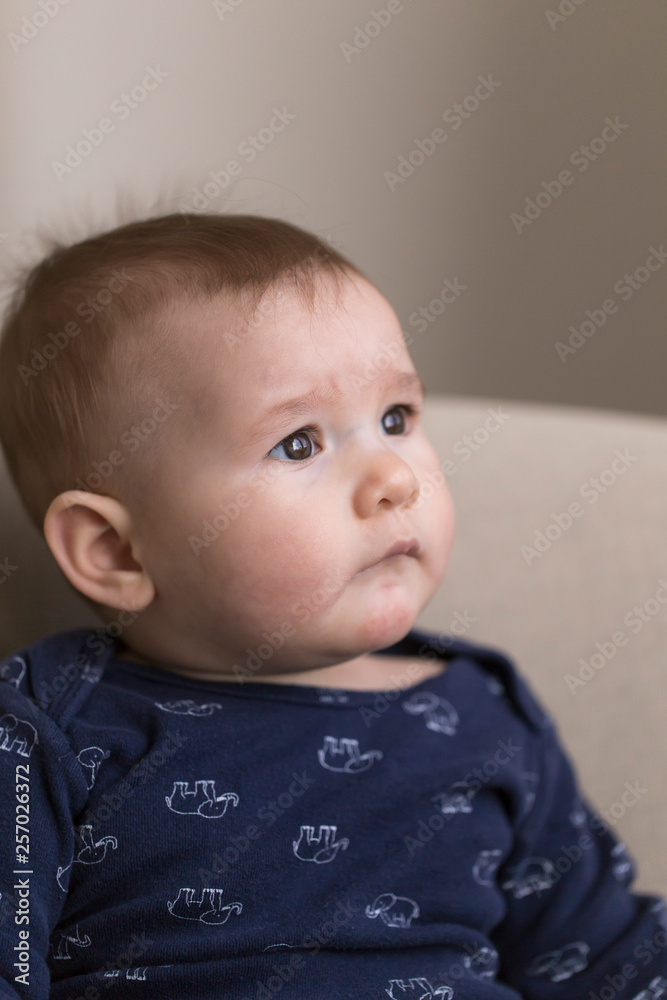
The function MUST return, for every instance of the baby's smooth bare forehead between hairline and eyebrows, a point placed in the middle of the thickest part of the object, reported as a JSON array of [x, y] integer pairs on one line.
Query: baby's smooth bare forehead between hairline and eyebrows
[[243, 337]]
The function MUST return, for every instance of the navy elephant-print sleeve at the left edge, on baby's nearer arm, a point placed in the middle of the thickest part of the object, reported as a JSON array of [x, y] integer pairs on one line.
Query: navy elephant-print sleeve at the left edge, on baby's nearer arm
[[41, 787]]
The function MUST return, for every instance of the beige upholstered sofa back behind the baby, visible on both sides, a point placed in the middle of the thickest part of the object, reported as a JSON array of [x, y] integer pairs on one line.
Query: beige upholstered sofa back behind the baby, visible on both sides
[[560, 560]]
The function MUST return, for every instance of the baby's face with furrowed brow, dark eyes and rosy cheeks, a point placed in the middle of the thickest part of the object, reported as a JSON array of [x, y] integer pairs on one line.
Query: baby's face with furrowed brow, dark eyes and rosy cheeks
[[276, 522]]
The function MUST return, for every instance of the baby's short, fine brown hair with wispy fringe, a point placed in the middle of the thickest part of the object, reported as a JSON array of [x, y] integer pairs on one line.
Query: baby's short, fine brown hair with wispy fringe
[[86, 344]]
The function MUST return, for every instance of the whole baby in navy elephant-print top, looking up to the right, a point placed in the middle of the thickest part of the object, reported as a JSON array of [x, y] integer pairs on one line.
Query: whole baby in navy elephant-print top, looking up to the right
[[259, 780]]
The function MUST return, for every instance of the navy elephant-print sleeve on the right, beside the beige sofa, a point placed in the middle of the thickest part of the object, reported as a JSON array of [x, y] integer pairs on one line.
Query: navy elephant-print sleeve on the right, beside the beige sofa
[[573, 929]]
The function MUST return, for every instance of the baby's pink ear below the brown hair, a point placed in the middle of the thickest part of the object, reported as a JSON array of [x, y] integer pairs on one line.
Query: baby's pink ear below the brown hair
[[93, 540]]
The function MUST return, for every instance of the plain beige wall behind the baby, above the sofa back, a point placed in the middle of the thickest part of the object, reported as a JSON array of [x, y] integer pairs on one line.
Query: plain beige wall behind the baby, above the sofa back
[[554, 79]]
